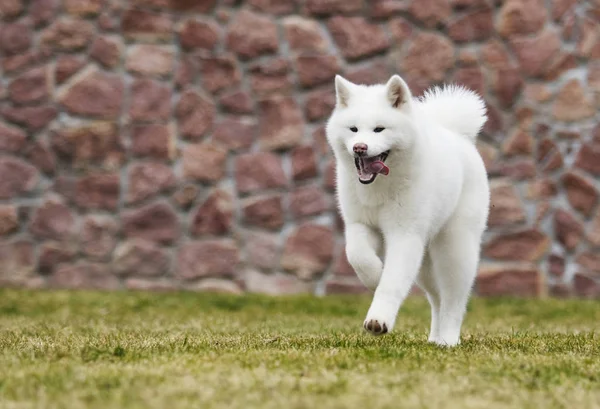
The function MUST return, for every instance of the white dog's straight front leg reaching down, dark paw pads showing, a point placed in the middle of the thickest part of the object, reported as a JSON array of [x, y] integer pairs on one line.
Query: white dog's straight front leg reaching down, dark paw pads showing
[[404, 253]]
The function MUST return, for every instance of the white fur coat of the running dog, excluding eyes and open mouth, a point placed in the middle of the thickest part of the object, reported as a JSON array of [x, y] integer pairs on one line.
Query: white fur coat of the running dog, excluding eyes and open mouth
[[427, 217]]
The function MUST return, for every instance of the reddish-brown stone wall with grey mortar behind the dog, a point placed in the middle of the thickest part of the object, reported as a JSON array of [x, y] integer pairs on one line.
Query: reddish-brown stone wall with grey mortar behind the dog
[[159, 144]]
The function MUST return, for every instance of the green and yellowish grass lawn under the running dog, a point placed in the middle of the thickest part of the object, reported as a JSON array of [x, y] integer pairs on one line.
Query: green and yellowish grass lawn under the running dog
[[135, 350]]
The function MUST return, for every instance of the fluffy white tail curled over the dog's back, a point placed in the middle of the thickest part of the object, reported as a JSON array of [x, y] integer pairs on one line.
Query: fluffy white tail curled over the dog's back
[[456, 108]]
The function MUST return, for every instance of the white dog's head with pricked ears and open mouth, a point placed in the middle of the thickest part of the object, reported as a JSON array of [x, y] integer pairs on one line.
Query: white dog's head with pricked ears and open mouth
[[370, 124]]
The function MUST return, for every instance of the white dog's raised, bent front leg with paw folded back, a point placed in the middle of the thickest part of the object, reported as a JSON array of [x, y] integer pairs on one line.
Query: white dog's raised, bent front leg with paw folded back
[[362, 246]]
